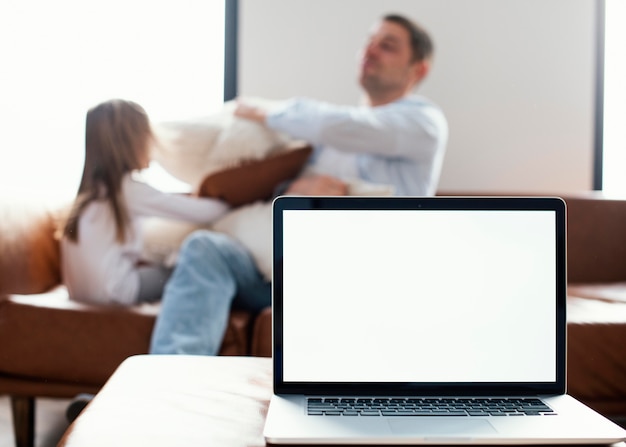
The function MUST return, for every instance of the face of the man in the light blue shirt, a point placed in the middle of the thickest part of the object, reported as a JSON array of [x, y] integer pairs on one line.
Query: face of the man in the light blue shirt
[[386, 64]]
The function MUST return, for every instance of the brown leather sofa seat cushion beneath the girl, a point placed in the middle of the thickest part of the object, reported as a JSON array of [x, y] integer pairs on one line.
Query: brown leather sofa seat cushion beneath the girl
[[47, 336]]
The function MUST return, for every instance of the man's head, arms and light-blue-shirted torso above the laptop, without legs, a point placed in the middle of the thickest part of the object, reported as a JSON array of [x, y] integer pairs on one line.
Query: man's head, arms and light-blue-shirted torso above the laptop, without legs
[[395, 138]]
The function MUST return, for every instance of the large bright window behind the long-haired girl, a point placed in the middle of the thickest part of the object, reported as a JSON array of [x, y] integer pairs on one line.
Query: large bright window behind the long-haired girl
[[60, 58]]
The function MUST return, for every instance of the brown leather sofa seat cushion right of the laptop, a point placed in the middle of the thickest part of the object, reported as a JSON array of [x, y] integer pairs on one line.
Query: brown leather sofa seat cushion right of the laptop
[[597, 353]]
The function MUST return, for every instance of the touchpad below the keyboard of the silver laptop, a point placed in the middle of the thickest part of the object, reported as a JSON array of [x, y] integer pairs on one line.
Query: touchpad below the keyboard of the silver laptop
[[441, 427]]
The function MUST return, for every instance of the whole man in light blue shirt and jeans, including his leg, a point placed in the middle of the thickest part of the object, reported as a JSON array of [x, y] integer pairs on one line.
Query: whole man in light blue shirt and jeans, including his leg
[[395, 139]]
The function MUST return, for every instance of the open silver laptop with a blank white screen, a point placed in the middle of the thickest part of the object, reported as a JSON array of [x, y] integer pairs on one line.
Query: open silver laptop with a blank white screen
[[401, 320]]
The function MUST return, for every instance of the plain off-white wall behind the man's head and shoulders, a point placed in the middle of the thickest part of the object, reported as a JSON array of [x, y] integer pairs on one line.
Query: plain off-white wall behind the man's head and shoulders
[[514, 77]]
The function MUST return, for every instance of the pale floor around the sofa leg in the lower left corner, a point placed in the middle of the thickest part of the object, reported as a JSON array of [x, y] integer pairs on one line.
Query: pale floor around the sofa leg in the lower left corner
[[50, 422]]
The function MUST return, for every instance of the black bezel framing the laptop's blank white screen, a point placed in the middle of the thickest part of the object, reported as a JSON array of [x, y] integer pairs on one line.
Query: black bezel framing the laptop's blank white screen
[[555, 204]]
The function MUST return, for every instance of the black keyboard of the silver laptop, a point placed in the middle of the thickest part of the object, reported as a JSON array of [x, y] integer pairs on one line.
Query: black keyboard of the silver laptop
[[349, 406]]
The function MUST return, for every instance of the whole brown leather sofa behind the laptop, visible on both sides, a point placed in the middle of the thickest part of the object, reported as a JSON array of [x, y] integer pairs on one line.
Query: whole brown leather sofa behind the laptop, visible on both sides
[[54, 347]]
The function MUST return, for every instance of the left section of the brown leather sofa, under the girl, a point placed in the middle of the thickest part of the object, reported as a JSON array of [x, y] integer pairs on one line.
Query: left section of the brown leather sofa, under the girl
[[51, 346]]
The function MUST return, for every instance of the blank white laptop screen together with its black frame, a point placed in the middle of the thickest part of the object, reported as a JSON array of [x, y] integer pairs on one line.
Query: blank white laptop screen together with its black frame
[[418, 291]]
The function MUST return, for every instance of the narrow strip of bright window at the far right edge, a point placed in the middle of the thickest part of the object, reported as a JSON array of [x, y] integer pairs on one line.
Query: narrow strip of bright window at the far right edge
[[613, 175]]
